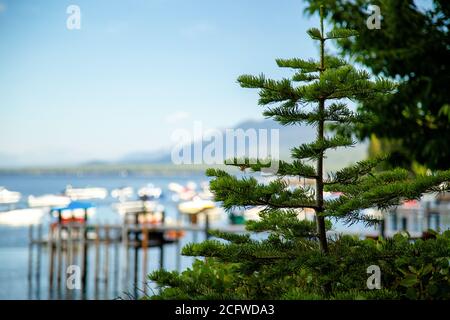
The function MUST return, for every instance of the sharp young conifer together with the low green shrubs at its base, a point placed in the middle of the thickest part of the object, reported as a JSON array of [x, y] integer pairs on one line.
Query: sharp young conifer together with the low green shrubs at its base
[[284, 257]]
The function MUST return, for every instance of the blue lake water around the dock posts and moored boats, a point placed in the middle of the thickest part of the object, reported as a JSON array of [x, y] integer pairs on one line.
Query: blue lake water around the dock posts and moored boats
[[19, 280]]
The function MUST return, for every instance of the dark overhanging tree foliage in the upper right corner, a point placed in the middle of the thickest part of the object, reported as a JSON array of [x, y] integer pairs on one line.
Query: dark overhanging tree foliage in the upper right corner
[[413, 44]]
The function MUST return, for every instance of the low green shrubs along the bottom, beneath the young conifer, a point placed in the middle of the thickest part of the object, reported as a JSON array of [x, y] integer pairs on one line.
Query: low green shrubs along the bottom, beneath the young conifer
[[409, 270]]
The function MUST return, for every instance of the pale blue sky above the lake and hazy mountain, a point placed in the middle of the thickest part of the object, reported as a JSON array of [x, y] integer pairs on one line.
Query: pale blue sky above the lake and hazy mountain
[[136, 71]]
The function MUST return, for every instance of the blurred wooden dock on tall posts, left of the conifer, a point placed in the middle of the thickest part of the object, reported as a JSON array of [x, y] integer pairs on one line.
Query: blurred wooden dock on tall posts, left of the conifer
[[103, 254]]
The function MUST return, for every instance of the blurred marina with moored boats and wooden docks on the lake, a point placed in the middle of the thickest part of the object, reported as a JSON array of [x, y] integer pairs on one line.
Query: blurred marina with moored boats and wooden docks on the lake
[[113, 243]]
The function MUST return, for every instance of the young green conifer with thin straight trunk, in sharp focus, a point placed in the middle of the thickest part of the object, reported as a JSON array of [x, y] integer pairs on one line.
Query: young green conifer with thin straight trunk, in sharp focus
[[245, 267]]
